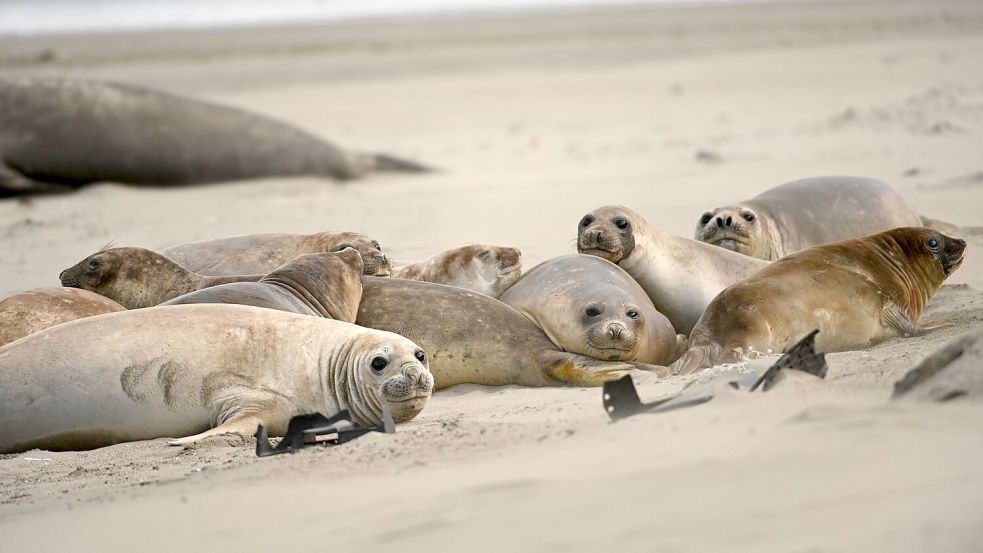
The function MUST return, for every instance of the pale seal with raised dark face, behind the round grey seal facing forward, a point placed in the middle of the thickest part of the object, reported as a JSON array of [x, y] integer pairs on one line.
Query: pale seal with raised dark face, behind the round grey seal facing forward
[[679, 275]]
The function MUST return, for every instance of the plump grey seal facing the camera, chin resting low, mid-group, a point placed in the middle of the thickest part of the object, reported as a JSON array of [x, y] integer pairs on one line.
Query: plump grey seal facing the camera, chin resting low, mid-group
[[590, 306]]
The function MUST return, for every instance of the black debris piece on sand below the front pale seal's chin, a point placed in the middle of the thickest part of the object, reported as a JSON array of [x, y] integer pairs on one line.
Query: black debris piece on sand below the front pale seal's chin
[[316, 429]]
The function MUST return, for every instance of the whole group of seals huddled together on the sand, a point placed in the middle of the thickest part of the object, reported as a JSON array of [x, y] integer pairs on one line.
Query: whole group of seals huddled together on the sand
[[224, 335]]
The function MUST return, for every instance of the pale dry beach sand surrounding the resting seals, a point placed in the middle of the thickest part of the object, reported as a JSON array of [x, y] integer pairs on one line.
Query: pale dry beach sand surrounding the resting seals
[[535, 121]]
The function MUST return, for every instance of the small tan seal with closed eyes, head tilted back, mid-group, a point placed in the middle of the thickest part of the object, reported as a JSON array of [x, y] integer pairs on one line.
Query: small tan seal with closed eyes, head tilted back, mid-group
[[485, 269]]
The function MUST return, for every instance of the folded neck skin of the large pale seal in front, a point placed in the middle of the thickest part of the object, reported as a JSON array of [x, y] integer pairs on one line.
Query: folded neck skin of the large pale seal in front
[[341, 385]]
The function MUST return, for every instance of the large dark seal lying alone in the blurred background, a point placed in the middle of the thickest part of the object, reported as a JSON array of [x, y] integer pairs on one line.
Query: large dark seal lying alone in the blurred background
[[59, 134]]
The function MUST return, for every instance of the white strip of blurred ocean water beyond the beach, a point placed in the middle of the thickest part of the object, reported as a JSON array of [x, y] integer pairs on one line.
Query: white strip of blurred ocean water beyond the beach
[[65, 16]]
